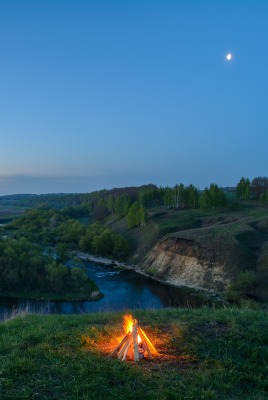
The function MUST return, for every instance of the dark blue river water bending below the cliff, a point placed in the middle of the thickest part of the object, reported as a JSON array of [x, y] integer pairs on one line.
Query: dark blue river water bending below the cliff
[[122, 289]]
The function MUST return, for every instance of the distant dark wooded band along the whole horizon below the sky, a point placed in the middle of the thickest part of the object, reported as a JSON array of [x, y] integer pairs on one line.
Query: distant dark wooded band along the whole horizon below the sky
[[133, 203]]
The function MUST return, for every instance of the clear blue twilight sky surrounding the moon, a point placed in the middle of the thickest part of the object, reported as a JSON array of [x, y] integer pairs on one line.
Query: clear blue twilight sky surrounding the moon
[[102, 94]]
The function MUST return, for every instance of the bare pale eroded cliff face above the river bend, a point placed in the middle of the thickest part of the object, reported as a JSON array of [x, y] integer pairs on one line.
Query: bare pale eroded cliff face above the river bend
[[186, 262]]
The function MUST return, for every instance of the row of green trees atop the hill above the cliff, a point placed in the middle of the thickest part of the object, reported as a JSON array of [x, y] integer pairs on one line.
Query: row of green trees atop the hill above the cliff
[[135, 208]]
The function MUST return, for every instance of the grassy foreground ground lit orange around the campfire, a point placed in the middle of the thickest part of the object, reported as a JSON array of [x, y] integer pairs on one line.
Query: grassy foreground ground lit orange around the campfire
[[204, 354]]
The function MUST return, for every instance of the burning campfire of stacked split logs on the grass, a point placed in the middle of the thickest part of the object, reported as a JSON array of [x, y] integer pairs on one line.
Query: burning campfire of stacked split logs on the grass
[[135, 345]]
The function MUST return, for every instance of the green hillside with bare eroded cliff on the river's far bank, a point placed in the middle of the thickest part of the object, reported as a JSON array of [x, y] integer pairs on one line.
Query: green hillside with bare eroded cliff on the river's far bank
[[220, 249]]
